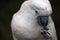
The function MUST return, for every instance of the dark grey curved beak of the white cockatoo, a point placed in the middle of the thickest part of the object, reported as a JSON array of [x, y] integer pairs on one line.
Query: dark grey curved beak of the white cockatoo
[[42, 20]]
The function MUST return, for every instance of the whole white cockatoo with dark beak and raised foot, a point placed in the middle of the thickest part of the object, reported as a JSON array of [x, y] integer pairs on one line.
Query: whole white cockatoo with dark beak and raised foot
[[33, 21]]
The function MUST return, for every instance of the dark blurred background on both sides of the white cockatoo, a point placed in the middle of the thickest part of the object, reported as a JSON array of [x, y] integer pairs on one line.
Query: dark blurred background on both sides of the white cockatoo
[[9, 7]]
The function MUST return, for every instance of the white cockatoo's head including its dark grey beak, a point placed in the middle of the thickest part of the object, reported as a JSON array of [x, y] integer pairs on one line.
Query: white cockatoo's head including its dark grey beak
[[40, 8]]
